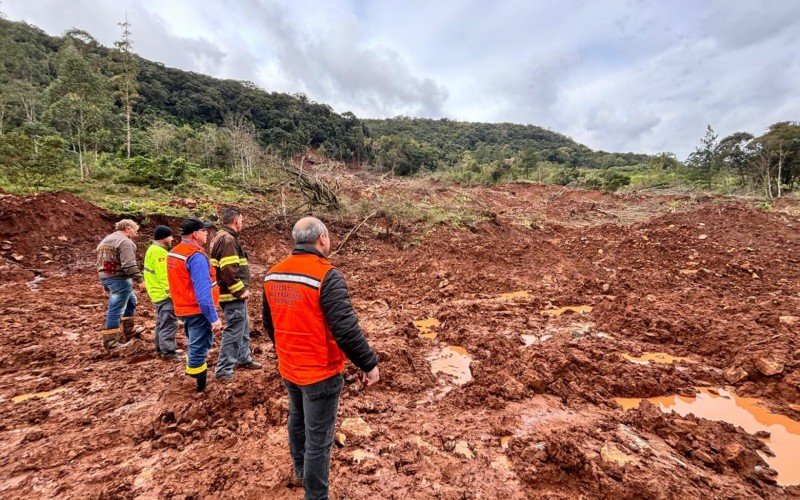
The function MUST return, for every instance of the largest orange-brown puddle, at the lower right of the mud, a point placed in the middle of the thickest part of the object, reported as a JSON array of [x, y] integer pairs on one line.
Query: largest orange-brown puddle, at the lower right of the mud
[[784, 440]]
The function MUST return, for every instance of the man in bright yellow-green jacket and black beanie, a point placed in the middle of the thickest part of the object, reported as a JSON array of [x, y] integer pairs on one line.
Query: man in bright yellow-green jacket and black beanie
[[155, 280]]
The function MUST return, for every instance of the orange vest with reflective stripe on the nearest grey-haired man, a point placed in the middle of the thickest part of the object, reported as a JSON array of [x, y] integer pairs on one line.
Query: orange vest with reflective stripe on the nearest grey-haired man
[[307, 351]]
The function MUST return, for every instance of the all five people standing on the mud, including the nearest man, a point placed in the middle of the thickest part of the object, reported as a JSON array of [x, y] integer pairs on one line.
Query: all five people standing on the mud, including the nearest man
[[306, 311]]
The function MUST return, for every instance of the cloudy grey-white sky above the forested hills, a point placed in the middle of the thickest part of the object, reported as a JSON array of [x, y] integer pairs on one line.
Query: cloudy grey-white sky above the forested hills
[[626, 75]]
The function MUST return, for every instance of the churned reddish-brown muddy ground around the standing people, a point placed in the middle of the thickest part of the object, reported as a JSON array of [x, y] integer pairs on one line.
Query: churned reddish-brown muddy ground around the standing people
[[715, 281]]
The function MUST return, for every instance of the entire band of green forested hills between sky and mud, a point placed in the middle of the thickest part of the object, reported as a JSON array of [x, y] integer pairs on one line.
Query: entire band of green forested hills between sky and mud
[[71, 108]]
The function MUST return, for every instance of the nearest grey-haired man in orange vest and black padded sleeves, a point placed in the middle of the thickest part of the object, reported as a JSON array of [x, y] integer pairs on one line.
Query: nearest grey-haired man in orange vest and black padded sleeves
[[308, 315]]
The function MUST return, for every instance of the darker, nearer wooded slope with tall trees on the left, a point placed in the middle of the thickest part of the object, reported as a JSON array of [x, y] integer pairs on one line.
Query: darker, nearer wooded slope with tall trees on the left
[[69, 102]]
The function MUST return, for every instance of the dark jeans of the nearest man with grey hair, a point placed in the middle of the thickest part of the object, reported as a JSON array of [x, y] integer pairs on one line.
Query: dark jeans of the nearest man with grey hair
[[312, 419]]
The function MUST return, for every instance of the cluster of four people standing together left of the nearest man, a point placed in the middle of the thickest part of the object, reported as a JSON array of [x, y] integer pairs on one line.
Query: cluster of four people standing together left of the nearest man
[[182, 282]]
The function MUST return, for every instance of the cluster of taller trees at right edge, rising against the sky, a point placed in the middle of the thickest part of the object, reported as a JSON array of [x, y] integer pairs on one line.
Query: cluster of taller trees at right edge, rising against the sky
[[769, 163]]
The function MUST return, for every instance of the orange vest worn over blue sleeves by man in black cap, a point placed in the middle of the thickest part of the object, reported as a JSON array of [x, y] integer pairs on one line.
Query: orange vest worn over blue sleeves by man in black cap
[[180, 282]]
